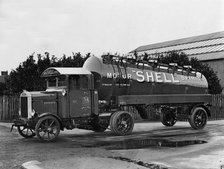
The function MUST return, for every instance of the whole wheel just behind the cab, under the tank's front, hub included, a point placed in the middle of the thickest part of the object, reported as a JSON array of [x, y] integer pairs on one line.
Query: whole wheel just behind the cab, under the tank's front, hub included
[[121, 123]]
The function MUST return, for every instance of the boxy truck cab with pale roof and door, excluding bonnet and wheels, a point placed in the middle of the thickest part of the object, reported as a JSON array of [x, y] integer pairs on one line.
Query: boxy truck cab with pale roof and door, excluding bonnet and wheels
[[76, 87]]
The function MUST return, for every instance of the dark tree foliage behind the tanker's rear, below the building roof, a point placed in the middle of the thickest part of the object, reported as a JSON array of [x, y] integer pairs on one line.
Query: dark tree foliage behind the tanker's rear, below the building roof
[[181, 59]]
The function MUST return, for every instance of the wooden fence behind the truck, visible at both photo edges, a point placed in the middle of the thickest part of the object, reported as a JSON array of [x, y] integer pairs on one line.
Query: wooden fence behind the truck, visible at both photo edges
[[9, 107]]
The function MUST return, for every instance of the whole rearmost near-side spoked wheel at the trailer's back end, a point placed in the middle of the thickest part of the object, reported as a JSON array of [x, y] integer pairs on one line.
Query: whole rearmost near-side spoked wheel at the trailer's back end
[[198, 118]]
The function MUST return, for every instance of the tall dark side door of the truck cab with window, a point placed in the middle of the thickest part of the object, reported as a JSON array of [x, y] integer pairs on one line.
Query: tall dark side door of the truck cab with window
[[80, 95]]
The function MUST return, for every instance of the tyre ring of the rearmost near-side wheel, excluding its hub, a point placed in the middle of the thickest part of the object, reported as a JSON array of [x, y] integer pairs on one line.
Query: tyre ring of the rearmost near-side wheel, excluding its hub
[[192, 118]]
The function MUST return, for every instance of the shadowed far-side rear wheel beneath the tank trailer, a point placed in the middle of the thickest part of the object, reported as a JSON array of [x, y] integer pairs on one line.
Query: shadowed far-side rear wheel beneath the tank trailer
[[168, 118]]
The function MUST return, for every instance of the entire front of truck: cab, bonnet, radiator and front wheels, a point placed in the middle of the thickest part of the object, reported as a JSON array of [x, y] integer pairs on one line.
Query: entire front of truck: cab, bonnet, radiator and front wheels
[[69, 101]]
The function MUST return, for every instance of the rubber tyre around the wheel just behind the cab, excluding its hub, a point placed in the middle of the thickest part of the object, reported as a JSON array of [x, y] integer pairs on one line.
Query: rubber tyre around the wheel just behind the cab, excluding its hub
[[113, 123]]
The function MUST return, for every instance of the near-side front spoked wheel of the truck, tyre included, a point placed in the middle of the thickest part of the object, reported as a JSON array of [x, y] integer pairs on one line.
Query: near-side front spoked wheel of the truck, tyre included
[[47, 128]]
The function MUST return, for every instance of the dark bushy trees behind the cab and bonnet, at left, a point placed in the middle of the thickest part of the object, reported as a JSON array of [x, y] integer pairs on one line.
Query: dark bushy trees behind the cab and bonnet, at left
[[28, 74]]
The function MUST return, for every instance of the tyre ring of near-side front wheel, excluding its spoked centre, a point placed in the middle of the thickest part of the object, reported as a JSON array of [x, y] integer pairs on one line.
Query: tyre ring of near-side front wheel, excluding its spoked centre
[[57, 124]]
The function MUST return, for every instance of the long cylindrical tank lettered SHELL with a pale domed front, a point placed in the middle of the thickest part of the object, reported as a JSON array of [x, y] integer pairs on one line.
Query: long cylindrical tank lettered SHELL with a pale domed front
[[117, 78]]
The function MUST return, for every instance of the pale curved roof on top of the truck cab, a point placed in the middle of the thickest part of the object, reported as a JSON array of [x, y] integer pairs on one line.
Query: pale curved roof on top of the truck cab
[[55, 71]]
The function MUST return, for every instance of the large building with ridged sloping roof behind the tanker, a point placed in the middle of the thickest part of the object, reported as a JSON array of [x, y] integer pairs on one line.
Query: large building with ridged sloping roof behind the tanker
[[207, 48]]
